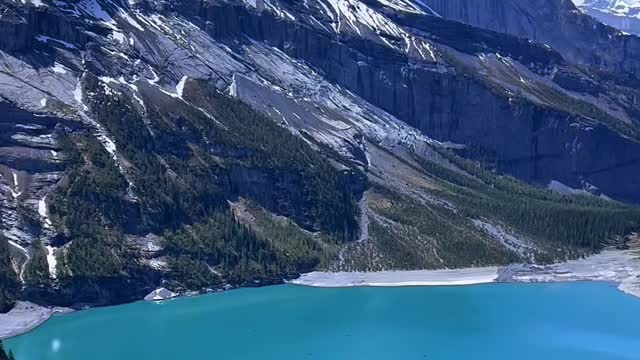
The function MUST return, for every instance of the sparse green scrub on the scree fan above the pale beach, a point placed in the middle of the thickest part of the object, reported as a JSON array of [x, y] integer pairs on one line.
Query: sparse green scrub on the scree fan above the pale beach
[[417, 235]]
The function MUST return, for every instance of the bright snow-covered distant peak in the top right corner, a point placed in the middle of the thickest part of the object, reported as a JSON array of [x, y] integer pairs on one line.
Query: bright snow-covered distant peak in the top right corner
[[621, 14]]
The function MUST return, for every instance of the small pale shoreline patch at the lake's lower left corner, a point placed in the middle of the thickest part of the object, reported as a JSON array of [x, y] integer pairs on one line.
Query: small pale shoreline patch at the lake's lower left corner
[[24, 317]]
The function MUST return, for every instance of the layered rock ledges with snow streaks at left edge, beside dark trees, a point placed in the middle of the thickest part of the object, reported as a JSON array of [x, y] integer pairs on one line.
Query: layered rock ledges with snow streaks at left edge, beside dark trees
[[30, 165]]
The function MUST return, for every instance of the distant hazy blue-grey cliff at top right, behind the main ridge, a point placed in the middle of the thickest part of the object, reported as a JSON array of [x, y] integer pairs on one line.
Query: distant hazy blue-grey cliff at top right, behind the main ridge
[[577, 36]]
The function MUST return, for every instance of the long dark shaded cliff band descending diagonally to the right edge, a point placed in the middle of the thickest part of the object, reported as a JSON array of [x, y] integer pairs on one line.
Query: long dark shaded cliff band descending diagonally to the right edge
[[522, 137]]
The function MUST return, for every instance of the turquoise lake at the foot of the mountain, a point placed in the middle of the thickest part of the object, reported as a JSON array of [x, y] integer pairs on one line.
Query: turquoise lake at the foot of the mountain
[[566, 321]]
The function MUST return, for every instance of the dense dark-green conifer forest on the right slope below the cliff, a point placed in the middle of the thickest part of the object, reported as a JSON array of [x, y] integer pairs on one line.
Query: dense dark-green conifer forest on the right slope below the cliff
[[580, 221]]
